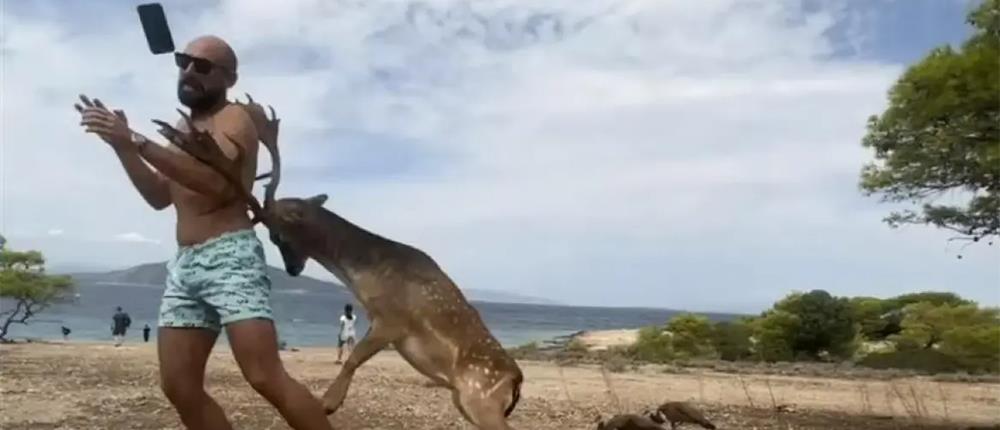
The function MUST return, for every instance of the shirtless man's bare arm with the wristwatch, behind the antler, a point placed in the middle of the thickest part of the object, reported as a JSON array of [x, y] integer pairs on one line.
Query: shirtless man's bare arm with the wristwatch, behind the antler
[[194, 174]]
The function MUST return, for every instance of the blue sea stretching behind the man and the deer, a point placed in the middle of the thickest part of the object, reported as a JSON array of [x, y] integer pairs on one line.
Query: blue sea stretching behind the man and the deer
[[311, 319]]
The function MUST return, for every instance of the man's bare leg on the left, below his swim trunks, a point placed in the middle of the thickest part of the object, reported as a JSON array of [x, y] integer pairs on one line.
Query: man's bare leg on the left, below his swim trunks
[[183, 353]]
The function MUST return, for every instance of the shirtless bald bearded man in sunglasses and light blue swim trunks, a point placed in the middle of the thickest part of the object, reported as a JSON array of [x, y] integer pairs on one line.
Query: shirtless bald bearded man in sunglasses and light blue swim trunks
[[217, 278]]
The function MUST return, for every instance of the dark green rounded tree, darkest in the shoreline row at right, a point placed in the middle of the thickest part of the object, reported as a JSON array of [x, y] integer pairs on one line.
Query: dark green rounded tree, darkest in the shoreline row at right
[[825, 323]]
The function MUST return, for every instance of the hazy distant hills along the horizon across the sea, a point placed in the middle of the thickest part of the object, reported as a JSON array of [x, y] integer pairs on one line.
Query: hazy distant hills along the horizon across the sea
[[153, 274]]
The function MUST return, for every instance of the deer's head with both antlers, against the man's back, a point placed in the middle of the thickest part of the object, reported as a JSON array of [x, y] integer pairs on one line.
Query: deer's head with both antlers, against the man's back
[[284, 218]]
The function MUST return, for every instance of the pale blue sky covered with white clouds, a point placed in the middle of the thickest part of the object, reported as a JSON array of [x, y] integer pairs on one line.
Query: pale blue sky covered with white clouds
[[700, 155]]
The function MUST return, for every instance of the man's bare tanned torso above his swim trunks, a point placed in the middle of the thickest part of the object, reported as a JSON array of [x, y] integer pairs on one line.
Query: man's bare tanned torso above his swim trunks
[[194, 223]]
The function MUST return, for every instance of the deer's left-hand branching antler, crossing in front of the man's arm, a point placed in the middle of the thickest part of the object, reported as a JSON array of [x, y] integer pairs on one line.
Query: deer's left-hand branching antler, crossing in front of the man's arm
[[202, 146]]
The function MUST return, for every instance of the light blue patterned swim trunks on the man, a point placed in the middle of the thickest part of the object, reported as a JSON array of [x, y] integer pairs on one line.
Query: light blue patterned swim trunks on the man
[[217, 282]]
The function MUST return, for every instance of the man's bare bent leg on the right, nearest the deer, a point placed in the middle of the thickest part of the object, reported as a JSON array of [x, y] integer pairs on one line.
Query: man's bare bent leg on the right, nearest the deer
[[255, 346]]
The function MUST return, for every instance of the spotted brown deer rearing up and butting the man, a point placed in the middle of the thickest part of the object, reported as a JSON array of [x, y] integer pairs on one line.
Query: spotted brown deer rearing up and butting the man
[[411, 303]]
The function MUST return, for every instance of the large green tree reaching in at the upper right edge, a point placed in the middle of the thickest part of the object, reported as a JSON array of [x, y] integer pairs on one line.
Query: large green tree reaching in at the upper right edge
[[941, 134]]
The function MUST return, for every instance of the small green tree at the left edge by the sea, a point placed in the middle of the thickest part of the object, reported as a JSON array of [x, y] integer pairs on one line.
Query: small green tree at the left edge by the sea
[[27, 288]]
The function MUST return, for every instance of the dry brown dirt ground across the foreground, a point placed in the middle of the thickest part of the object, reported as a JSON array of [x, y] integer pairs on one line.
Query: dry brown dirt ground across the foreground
[[97, 386]]
